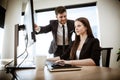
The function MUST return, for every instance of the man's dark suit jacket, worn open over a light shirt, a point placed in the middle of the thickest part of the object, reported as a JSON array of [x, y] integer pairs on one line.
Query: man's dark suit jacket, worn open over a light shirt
[[53, 26]]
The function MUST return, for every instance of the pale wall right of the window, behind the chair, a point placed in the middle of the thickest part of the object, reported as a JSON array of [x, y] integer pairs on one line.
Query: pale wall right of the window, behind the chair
[[109, 22]]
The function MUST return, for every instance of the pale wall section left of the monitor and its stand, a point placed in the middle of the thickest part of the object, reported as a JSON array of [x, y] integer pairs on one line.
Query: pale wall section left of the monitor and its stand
[[12, 17]]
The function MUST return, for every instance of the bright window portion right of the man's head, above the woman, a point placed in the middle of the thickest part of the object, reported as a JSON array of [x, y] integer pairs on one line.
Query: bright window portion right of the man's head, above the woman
[[87, 12]]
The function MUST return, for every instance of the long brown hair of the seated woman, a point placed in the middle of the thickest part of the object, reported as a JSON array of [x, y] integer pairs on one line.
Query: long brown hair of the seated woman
[[86, 23]]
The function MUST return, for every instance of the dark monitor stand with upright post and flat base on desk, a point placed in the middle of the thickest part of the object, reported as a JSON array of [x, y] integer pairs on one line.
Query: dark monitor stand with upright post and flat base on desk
[[12, 69]]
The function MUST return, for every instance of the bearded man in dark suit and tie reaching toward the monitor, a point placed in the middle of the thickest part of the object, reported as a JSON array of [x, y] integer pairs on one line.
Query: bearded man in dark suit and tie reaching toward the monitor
[[58, 45]]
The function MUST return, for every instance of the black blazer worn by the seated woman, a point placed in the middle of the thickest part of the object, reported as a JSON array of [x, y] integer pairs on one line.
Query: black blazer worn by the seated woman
[[91, 49]]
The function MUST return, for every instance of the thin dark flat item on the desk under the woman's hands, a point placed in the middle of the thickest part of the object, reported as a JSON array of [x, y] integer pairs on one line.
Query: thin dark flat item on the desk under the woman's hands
[[53, 67]]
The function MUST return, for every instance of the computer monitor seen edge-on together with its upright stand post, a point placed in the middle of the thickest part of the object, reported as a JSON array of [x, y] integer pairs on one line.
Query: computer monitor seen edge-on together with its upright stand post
[[28, 26]]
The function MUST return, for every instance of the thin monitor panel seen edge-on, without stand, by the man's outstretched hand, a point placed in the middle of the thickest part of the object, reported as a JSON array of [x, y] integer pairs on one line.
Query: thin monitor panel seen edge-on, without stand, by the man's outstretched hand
[[29, 22]]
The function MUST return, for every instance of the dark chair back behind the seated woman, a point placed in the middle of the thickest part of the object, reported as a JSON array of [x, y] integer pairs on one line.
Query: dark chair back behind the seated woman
[[105, 56]]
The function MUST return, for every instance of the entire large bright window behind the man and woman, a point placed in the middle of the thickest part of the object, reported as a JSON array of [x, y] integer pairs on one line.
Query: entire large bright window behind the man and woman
[[43, 18]]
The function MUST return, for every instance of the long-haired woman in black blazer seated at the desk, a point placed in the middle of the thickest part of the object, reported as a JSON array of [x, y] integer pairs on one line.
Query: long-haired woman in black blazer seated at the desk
[[85, 50]]
